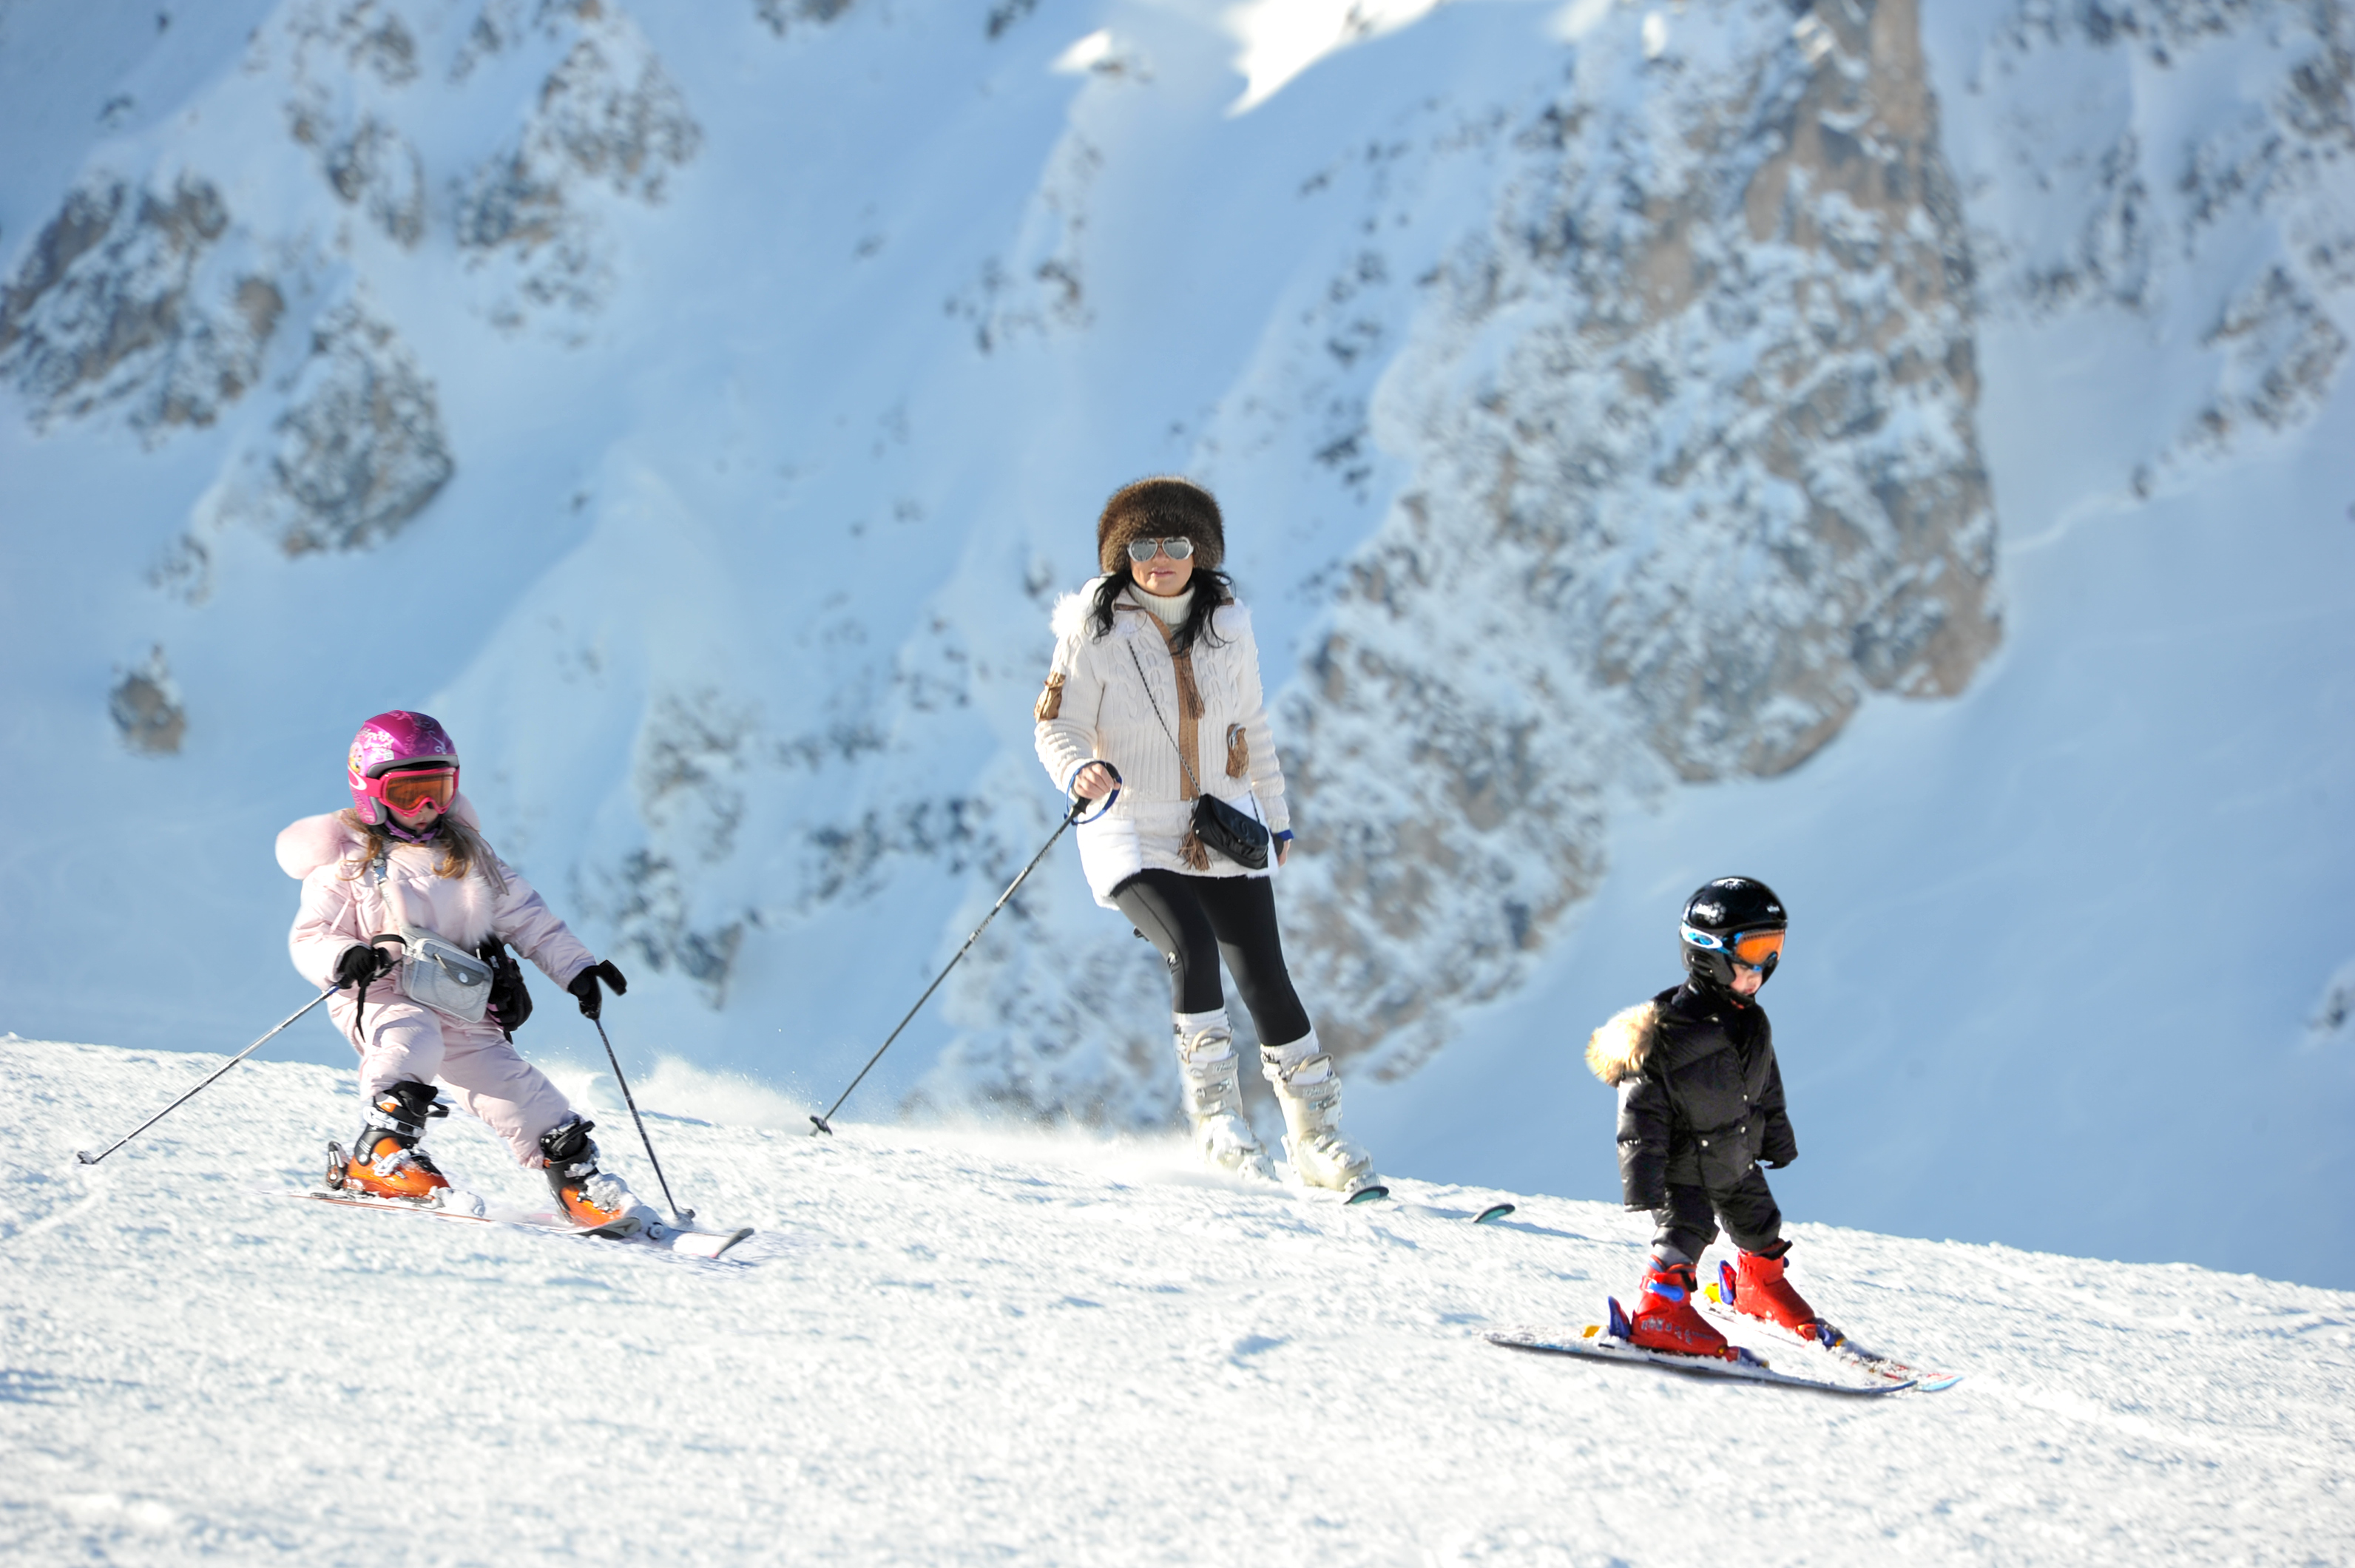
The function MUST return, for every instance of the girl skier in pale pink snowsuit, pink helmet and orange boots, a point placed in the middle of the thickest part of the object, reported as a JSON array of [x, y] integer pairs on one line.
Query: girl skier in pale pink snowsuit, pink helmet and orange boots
[[397, 893]]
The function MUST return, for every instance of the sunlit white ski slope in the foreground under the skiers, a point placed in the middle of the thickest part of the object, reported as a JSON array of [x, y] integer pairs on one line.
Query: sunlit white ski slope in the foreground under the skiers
[[962, 1348]]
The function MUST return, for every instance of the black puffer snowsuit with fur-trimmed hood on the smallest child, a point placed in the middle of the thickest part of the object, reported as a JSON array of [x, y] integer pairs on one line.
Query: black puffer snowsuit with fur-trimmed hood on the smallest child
[[1701, 1105]]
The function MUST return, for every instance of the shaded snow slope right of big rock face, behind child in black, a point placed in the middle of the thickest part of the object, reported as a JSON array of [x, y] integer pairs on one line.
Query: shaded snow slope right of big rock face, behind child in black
[[2057, 974]]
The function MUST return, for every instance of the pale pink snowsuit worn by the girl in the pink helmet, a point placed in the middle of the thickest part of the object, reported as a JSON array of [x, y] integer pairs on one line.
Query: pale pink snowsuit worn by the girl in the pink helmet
[[345, 903]]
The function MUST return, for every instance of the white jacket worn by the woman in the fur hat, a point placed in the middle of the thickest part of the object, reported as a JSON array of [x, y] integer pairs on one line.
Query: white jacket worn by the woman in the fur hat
[[1106, 717]]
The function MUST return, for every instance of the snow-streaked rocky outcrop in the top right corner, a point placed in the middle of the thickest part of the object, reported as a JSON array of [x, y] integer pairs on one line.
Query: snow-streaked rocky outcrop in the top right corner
[[2234, 232]]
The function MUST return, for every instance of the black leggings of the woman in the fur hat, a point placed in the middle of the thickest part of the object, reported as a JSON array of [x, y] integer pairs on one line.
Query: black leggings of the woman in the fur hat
[[1198, 919]]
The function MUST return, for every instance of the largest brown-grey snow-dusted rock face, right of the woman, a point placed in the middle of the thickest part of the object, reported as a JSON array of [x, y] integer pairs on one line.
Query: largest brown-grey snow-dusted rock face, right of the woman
[[1694, 470]]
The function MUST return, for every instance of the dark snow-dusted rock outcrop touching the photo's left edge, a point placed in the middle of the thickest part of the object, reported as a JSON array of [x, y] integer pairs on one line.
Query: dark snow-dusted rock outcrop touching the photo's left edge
[[133, 300]]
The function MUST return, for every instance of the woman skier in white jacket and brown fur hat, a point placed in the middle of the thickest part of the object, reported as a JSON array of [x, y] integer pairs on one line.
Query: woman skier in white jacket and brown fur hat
[[1150, 705]]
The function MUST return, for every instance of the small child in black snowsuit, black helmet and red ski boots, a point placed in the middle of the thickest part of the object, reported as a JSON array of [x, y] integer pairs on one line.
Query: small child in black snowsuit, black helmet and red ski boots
[[1701, 1110]]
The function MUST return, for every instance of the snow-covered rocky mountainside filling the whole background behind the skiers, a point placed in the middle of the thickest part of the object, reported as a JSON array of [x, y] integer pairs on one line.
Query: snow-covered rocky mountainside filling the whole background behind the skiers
[[698, 406]]
